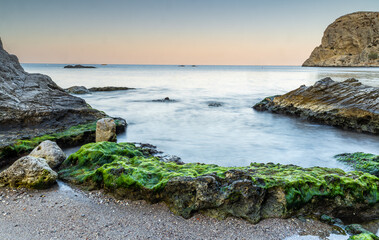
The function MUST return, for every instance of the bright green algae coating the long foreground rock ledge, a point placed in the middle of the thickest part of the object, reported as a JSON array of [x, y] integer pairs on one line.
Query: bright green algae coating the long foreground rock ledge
[[114, 166]]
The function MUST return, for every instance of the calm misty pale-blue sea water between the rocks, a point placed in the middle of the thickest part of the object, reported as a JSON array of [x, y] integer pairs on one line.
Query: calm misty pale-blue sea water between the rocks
[[230, 135]]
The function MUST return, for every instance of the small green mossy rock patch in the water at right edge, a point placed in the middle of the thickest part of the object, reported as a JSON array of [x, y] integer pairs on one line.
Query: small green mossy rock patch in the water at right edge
[[364, 162]]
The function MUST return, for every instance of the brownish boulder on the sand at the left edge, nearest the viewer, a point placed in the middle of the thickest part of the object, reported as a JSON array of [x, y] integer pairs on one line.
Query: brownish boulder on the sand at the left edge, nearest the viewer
[[29, 172]]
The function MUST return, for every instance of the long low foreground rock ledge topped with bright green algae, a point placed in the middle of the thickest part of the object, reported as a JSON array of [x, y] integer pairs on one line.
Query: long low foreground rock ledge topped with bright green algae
[[254, 192]]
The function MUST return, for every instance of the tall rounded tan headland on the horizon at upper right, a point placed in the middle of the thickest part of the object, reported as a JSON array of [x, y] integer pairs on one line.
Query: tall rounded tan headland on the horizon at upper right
[[350, 41]]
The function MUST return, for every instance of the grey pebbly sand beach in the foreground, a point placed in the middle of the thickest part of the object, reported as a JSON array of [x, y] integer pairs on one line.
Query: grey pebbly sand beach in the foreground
[[66, 213]]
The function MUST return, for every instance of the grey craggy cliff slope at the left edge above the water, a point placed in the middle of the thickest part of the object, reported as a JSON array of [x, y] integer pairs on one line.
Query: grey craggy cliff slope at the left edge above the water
[[32, 104]]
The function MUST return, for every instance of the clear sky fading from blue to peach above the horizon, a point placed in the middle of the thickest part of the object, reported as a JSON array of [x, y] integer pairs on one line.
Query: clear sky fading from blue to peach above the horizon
[[201, 32]]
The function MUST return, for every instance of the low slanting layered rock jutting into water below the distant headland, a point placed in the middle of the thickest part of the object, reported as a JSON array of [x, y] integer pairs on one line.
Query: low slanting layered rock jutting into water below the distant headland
[[348, 104]]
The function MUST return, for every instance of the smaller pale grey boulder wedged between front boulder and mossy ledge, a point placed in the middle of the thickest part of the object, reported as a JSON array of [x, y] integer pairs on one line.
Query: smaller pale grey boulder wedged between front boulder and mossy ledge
[[49, 151]]
